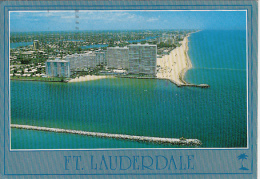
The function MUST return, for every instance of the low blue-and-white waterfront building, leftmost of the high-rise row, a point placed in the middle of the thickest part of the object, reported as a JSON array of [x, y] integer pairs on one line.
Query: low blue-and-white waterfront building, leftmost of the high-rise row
[[57, 68]]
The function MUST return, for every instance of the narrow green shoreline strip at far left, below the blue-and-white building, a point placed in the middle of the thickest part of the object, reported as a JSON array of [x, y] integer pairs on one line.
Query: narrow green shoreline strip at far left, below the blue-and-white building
[[27, 78]]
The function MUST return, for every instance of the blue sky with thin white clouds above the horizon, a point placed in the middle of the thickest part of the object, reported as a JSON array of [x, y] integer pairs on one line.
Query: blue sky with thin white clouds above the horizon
[[126, 20]]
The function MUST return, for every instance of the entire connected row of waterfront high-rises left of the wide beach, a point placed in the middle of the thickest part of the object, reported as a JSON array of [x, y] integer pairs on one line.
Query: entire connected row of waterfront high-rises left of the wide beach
[[132, 59]]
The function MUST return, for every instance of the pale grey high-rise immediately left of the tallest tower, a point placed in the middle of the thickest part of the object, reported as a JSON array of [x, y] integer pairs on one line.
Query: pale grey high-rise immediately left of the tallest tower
[[117, 57]]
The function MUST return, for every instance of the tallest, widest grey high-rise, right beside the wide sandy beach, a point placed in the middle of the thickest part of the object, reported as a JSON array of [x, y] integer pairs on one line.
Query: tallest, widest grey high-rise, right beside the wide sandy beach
[[142, 59]]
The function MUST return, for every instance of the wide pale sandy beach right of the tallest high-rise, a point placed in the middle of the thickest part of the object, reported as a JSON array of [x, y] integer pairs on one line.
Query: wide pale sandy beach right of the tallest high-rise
[[174, 66]]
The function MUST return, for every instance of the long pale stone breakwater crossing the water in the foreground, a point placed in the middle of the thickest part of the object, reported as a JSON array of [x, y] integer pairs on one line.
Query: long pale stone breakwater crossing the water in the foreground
[[172, 141]]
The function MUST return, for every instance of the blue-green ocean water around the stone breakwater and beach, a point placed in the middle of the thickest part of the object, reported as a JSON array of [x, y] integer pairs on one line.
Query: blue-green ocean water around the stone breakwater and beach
[[217, 115]]
